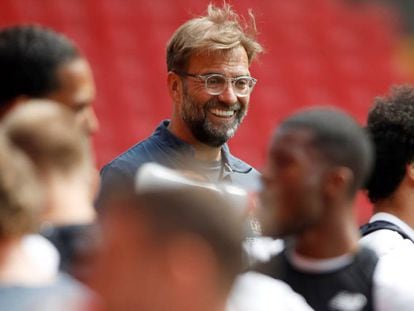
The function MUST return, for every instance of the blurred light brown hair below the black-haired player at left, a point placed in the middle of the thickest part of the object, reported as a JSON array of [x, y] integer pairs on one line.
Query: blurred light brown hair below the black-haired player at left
[[48, 133]]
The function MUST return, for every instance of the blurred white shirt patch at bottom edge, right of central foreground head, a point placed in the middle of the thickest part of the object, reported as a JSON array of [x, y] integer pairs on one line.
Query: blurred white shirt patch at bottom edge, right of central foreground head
[[257, 292]]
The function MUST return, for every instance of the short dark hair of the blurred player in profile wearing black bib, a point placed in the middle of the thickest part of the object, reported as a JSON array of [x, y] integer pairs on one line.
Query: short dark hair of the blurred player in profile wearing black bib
[[339, 138]]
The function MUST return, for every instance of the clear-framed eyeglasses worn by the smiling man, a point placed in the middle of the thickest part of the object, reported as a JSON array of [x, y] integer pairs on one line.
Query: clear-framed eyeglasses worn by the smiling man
[[216, 83]]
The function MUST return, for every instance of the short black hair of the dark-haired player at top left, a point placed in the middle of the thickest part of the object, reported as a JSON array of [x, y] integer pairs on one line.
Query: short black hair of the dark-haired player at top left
[[29, 58]]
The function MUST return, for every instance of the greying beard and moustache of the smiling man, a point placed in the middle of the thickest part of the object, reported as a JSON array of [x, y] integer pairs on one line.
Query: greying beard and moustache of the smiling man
[[194, 115]]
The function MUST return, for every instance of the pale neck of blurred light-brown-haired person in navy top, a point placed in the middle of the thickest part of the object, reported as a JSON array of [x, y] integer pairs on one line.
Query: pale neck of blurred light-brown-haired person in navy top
[[68, 200]]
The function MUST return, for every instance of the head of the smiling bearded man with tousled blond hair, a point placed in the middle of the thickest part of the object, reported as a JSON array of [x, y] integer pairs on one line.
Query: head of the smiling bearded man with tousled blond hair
[[218, 44]]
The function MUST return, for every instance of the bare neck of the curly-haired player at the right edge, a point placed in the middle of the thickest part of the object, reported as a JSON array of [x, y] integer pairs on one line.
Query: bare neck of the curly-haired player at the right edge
[[400, 204]]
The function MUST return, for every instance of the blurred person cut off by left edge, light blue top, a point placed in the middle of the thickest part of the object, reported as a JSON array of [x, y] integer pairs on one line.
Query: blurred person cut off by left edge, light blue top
[[22, 285]]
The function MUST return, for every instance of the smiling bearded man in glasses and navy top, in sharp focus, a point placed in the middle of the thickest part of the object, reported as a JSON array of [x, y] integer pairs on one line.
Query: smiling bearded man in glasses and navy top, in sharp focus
[[209, 82]]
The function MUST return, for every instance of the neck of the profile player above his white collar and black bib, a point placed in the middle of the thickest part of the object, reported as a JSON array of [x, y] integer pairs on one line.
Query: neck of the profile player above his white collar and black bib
[[336, 235]]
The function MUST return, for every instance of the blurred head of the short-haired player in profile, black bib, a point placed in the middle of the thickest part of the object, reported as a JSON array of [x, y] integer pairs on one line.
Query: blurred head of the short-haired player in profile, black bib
[[318, 159]]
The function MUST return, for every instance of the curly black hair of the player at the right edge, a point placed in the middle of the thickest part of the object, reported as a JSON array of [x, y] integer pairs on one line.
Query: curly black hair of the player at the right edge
[[391, 126]]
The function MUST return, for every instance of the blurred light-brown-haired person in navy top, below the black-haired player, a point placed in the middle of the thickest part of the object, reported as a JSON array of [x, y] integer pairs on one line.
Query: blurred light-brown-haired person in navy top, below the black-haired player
[[50, 136]]
